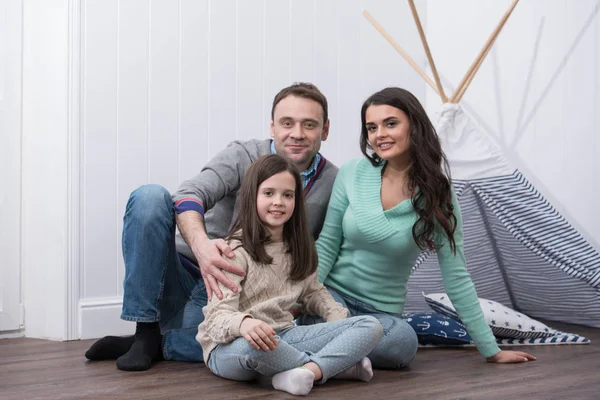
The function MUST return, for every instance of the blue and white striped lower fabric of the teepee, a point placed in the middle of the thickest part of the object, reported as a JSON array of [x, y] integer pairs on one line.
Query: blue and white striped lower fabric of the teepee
[[520, 252]]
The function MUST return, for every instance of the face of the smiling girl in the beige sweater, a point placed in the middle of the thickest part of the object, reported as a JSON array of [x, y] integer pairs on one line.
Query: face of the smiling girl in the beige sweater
[[275, 202]]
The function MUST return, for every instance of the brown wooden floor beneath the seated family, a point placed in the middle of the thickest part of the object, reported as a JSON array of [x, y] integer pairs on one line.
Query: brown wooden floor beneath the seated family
[[38, 369]]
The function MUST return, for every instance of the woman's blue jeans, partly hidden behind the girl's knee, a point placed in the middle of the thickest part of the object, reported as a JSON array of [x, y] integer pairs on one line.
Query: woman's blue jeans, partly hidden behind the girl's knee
[[398, 346]]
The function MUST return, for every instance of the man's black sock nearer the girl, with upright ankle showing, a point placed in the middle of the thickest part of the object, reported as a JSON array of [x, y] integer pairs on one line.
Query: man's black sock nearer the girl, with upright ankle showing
[[145, 349]]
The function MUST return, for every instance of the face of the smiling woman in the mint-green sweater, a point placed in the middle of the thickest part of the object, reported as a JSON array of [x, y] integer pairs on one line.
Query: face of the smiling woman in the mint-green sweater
[[388, 131]]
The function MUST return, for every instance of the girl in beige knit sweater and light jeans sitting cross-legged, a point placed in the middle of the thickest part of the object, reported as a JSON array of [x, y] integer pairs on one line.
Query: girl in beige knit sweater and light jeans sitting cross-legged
[[251, 333]]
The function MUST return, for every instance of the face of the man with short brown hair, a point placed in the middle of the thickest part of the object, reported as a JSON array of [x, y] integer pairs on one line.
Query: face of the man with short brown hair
[[297, 129]]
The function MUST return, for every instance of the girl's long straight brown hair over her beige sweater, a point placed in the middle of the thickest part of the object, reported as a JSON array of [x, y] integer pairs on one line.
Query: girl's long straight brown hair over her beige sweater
[[252, 232]]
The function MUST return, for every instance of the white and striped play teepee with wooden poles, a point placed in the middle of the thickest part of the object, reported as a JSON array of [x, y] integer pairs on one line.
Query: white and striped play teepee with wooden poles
[[520, 251]]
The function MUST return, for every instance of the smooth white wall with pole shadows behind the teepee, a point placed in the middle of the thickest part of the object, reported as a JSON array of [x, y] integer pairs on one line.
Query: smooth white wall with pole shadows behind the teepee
[[537, 94]]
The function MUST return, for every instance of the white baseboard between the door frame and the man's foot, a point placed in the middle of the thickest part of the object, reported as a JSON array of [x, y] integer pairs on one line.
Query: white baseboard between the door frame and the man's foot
[[102, 317]]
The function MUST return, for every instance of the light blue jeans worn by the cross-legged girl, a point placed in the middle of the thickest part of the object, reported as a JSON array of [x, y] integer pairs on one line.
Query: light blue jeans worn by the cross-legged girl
[[333, 346]]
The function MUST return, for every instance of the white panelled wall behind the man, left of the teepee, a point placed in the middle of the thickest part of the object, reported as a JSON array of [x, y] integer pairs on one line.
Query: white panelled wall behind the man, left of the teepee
[[167, 84]]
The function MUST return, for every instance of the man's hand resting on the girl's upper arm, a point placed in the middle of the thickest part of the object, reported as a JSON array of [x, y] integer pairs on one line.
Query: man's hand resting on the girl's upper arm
[[212, 264]]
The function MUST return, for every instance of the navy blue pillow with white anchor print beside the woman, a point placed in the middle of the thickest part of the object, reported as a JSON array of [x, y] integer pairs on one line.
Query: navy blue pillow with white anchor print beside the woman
[[437, 329]]
